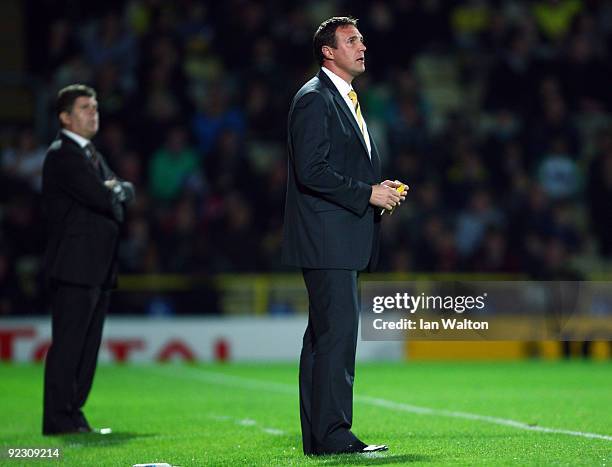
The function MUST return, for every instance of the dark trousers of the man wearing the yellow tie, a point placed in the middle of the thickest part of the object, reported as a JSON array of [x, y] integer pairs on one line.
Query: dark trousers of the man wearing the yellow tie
[[327, 362]]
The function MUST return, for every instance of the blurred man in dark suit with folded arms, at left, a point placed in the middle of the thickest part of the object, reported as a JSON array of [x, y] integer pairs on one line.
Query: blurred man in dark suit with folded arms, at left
[[83, 204]]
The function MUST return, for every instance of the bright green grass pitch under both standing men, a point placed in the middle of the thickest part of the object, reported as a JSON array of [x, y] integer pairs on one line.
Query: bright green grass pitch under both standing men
[[428, 414]]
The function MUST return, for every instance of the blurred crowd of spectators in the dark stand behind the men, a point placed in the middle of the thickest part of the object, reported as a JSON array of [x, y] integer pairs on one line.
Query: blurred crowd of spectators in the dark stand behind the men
[[496, 113]]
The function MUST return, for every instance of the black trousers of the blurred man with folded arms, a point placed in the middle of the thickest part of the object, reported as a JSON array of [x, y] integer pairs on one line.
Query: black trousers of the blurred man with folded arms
[[77, 321]]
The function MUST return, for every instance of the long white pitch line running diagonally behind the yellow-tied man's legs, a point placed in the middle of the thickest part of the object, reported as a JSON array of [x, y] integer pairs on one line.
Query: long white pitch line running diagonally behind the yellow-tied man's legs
[[246, 383]]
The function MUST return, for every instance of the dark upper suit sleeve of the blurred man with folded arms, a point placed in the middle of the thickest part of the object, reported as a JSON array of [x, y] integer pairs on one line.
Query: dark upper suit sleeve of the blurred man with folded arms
[[80, 183]]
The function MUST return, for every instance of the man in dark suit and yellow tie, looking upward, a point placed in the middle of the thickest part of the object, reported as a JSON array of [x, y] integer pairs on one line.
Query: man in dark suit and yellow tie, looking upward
[[332, 219]]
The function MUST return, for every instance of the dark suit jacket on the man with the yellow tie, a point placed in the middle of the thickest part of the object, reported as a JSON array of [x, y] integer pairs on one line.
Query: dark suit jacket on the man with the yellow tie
[[329, 223]]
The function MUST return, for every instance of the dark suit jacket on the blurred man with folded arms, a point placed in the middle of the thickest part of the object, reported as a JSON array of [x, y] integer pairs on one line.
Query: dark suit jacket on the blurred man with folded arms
[[83, 217]]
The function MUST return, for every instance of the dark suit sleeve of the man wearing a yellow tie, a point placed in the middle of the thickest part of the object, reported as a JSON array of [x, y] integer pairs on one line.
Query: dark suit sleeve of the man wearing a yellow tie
[[311, 144]]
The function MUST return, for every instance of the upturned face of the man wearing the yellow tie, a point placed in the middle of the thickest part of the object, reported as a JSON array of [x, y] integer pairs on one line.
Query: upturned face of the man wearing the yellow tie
[[349, 54]]
